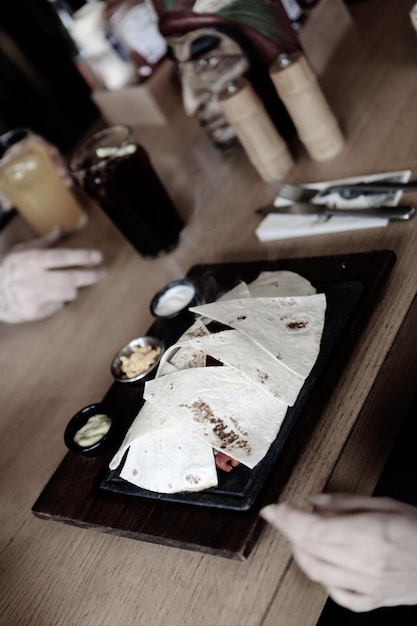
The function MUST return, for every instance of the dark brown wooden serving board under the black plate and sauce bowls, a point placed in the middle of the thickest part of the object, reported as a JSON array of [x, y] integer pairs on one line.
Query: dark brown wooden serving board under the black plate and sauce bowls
[[74, 496]]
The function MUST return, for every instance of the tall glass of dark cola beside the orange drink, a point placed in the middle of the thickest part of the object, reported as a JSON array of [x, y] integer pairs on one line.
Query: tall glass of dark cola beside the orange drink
[[125, 185]]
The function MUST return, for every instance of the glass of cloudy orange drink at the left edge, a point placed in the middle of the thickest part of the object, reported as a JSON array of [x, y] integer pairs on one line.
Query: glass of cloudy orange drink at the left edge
[[31, 180]]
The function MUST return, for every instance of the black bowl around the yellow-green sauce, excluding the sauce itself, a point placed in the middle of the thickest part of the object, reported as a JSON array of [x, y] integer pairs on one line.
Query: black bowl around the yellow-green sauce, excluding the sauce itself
[[79, 420]]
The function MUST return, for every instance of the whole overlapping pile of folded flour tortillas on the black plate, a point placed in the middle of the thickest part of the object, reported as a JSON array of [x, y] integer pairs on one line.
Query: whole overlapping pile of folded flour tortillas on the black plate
[[269, 340]]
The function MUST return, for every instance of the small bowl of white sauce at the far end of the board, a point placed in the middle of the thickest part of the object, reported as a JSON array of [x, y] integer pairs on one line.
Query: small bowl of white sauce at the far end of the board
[[174, 299]]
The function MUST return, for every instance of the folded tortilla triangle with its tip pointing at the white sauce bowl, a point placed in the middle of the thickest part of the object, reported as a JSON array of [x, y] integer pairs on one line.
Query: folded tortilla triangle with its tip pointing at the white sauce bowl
[[289, 329]]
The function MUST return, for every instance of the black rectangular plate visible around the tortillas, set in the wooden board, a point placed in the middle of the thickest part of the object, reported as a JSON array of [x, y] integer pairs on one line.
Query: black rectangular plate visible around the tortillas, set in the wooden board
[[239, 489]]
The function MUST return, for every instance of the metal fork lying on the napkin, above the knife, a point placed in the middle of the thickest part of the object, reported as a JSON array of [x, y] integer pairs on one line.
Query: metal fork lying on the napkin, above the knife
[[297, 193]]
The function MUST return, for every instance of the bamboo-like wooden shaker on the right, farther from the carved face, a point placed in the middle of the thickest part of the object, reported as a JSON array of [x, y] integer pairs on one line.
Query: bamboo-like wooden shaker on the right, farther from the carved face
[[298, 88]]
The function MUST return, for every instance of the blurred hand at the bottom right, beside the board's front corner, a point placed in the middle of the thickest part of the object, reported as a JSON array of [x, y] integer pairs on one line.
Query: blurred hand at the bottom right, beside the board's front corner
[[362, 550]]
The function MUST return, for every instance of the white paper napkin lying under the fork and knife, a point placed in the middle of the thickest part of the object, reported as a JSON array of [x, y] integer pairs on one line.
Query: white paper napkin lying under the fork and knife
[[280, 226]]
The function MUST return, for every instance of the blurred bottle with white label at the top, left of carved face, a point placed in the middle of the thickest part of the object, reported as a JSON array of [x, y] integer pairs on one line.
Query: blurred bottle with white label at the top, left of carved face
[[132, 26]]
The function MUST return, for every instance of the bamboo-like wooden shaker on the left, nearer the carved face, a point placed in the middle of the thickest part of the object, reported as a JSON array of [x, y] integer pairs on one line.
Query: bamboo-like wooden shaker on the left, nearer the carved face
[[264, 146]]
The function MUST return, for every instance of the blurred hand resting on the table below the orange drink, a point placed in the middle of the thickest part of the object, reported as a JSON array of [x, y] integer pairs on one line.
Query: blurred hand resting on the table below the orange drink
[[36, 282]]
